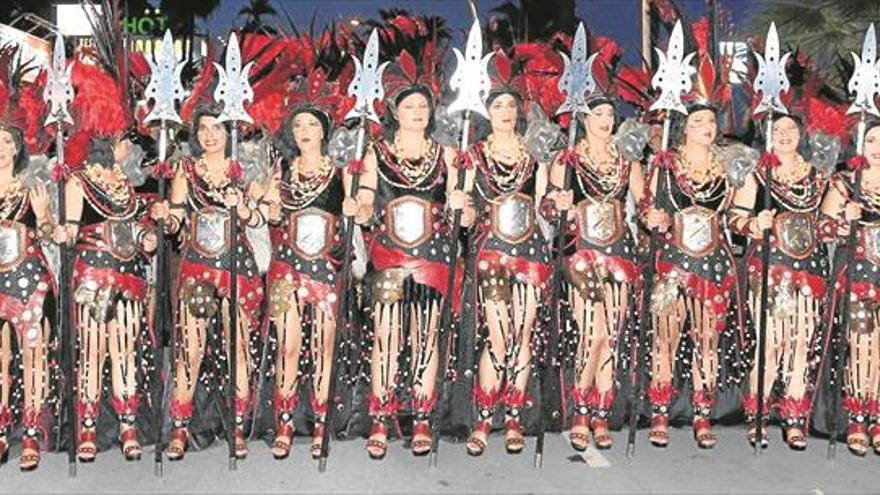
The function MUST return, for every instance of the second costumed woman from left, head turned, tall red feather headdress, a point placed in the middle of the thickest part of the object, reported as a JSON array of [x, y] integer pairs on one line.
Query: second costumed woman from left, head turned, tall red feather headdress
[[106, 221]]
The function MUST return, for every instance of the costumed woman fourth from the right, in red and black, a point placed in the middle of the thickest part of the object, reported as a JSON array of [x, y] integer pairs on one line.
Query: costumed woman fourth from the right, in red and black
[[600, 264]]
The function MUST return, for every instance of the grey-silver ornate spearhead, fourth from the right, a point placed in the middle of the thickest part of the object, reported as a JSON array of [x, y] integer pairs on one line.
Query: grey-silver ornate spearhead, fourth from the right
[[577, 80]]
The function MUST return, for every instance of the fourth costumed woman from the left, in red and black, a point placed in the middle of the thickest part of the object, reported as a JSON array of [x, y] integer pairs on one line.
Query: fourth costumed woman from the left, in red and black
[[305, 198]]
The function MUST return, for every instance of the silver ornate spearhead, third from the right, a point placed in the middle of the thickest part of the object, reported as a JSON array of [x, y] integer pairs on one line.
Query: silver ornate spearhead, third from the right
[[673, 76]]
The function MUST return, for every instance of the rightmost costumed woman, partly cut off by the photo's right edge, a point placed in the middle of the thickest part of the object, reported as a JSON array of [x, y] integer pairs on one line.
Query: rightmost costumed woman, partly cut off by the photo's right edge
[[861, 376]]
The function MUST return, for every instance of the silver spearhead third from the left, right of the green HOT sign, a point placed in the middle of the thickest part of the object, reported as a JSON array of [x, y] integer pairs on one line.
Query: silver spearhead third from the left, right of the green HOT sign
[[233, 88]]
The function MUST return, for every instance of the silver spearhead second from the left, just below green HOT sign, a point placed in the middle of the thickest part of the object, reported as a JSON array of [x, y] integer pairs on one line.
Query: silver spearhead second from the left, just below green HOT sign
[[165, 87]]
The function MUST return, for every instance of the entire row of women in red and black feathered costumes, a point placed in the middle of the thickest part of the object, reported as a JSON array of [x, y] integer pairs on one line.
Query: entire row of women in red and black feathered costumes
[[414, 358]]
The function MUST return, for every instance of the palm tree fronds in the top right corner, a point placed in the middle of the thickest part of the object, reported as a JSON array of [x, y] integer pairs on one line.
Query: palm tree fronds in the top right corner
[[826, 30]]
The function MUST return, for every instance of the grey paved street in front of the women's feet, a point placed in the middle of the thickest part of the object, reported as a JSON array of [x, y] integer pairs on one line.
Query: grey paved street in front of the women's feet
[[681, 468]]
